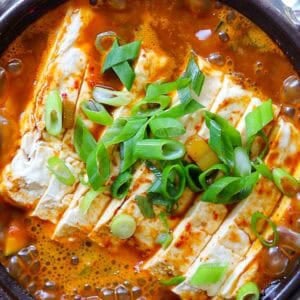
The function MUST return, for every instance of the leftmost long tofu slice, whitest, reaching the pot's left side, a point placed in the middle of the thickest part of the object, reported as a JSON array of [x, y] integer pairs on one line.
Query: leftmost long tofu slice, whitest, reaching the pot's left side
[[26, 178]]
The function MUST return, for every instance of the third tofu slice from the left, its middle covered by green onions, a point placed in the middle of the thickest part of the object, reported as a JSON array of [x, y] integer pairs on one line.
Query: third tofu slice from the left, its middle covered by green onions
[[74, 222]]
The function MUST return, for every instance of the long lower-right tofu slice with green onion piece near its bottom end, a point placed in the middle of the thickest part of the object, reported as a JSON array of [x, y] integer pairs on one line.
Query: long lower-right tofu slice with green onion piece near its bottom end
[[235, 235]]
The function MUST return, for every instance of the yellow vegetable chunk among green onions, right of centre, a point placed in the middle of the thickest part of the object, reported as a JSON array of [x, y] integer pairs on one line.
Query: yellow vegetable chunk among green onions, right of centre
[[200, 152]]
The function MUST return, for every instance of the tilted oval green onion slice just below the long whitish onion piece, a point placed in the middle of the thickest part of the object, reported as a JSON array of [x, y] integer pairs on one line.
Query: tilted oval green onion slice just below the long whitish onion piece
[[96, 112]]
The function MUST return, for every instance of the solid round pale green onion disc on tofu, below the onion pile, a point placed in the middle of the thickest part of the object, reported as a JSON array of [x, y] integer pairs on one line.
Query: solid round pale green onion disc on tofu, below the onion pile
[[123, 226]]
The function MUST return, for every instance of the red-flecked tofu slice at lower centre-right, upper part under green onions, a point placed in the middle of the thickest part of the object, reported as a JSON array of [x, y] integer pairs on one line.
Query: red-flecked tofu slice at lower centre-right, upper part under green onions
[[195, 230]]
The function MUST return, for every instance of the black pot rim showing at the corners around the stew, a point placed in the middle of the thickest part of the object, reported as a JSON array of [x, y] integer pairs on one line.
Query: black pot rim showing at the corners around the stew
[[15, 15]]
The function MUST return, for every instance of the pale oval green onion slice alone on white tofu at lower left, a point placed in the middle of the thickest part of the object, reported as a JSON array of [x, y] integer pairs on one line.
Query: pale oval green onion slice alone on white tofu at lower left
[[59, 169]]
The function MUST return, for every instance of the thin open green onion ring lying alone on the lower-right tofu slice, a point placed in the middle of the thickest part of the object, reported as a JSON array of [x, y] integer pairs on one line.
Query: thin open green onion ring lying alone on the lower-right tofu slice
[[258, 216]]
